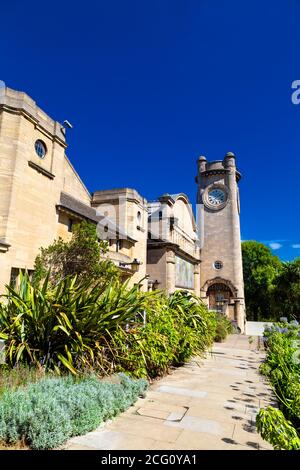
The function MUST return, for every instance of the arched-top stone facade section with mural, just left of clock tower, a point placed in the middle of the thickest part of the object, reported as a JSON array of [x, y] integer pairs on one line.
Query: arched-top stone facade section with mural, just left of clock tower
[[173, 256]]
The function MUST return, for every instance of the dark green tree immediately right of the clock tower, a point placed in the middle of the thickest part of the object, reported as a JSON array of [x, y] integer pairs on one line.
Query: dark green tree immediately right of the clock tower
[[260, 268]]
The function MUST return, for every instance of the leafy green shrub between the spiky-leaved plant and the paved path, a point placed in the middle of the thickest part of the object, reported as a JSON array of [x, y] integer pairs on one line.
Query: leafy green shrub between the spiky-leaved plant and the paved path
[[177, 327]]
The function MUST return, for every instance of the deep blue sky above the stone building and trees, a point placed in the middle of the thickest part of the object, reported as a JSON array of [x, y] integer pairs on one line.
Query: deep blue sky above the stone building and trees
[[151, 85]]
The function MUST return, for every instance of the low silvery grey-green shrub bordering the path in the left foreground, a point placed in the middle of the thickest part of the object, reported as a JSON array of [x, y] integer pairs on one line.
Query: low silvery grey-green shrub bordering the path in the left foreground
[[47, 413]]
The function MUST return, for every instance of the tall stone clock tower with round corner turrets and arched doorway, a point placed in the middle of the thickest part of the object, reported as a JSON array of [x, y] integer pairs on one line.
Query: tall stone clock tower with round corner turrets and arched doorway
[[218, 213]]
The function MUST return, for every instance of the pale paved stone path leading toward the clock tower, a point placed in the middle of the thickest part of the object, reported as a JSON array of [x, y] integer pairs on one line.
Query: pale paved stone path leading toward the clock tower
[[209, 403]]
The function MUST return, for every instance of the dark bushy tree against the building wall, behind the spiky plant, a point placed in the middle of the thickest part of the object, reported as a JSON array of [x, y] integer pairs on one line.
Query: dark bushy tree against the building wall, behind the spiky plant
[[81, 256]]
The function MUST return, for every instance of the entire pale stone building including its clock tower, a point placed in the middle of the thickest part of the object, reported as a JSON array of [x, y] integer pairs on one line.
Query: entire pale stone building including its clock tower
[[158, 242]]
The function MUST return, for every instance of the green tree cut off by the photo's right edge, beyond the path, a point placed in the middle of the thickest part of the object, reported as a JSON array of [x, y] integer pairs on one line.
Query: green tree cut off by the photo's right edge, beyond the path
[[286, 295]]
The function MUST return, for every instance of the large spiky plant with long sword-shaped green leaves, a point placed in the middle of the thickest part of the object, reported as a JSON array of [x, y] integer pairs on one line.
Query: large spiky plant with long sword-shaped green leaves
[[67, 325]]
